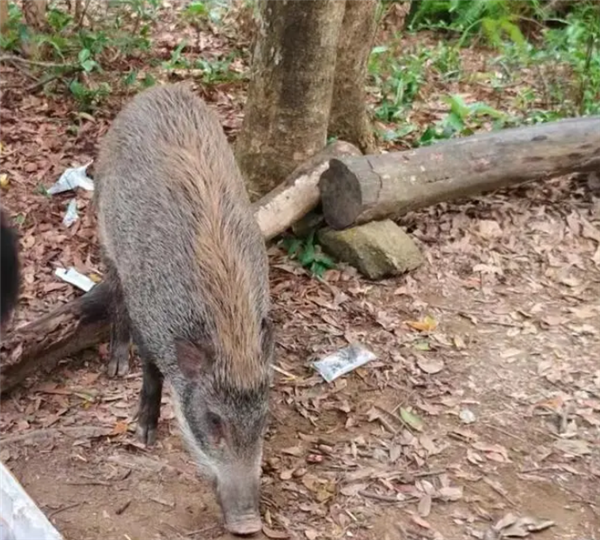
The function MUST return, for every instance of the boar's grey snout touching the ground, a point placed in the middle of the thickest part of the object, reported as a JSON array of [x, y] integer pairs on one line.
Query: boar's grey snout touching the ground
[[239, 496]]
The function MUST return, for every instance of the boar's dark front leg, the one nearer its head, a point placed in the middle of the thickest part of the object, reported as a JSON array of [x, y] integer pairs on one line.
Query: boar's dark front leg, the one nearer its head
[[150, 397]]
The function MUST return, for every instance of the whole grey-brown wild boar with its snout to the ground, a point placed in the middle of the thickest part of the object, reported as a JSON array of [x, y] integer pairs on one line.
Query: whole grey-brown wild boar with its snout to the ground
[[188, 270]]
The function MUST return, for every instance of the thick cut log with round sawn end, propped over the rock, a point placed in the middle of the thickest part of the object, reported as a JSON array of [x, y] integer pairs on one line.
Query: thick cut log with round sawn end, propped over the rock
[[356, 190]]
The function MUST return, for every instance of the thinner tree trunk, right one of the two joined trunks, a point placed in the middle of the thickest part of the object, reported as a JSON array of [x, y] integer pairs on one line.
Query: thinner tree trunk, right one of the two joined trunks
[[349, 119]]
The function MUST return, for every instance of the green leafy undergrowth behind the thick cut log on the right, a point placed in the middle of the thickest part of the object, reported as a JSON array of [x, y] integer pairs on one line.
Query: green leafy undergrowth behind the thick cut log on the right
[[530, 69]]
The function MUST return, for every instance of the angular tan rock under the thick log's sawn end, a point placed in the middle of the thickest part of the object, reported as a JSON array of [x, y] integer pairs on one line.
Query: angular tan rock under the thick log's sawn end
[[377, 249]]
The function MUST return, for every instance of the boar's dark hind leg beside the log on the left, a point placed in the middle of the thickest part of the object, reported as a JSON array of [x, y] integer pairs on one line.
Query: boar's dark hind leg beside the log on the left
[[118, 363]]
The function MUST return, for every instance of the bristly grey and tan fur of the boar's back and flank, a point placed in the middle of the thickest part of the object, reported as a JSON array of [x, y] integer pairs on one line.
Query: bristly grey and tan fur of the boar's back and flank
[[175, 219]]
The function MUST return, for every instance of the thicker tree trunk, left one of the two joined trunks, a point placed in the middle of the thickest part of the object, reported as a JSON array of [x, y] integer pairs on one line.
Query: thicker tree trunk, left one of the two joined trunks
[[289, 97]]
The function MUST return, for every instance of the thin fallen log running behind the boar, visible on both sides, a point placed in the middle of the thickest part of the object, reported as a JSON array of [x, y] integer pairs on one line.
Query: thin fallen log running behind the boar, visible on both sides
[[84, 322]]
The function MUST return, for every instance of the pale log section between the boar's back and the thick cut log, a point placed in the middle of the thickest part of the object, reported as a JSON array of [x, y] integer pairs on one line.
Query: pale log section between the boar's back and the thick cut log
[[299, 194]]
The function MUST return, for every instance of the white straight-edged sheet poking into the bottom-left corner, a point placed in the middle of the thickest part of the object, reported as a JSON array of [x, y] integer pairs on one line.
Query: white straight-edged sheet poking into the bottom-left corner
[[20, 518]]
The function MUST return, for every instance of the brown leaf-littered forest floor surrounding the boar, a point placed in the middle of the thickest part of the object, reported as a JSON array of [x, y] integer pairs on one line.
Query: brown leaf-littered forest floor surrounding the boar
[[482, 408]]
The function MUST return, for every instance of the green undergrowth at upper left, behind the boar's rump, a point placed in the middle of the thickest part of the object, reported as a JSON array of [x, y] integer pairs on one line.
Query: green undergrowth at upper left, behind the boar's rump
[[93, 55]]
